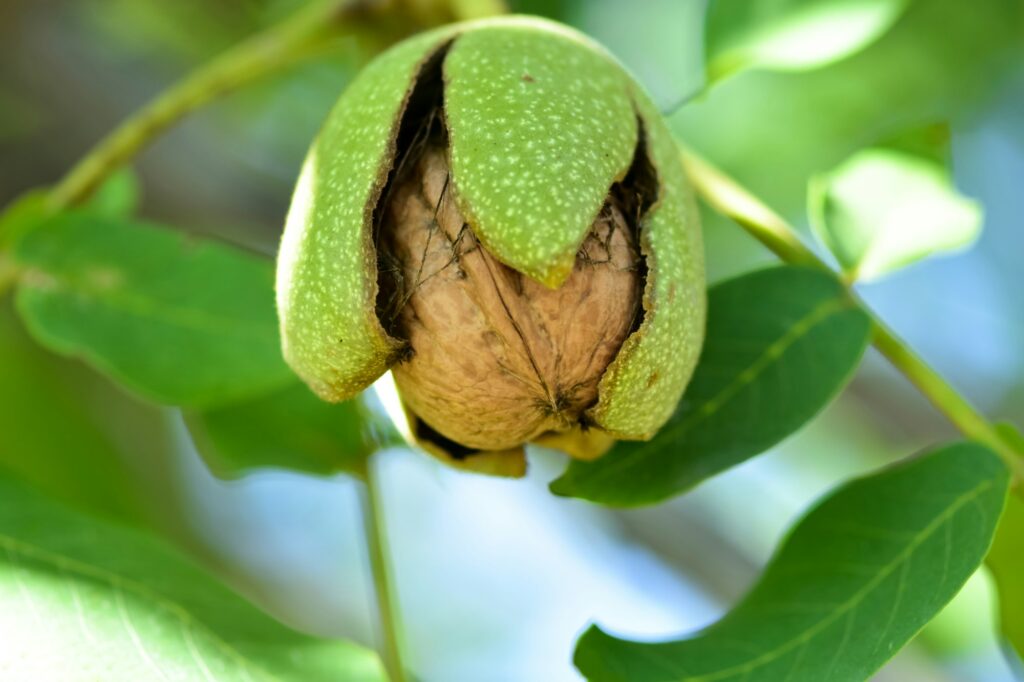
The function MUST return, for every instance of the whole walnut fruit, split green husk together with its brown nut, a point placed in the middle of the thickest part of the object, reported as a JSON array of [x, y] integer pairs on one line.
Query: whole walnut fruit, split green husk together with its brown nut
[[497, 212]]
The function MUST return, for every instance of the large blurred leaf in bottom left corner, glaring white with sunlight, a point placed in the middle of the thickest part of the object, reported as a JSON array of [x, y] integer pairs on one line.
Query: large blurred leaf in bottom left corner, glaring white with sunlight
[[89, 602]]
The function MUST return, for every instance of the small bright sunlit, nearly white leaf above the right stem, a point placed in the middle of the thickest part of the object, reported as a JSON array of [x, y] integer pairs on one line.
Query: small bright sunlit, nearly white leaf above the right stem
[[883, 209]]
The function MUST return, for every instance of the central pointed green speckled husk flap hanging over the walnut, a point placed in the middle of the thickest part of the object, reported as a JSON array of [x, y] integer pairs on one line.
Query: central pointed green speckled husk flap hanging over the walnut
[[540, 125]]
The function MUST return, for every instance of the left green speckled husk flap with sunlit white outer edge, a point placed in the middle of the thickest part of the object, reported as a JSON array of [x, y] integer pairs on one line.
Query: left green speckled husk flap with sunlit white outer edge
[[327, 266]]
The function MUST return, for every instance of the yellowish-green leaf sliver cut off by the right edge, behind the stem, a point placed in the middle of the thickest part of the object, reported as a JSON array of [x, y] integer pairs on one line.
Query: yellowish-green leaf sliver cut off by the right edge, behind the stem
[[1006, 560]]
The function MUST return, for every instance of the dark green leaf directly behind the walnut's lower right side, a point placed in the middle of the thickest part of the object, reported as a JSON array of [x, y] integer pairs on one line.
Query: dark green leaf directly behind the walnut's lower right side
[[781, 344]]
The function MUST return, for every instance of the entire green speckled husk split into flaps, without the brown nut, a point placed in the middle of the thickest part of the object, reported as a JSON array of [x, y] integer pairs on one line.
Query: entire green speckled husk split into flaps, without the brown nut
[[542, 123]]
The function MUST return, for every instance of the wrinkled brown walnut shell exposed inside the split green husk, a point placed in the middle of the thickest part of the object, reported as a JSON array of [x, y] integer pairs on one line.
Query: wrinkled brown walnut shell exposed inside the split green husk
[[499, 359]]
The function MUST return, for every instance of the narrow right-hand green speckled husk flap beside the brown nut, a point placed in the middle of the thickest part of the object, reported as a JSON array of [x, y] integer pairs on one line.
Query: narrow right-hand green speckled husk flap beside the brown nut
[[643, 386]]
